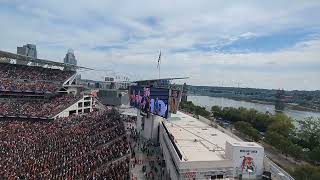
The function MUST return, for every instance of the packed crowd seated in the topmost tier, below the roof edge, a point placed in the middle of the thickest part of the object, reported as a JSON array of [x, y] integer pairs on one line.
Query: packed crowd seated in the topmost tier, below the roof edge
[[31, 78]]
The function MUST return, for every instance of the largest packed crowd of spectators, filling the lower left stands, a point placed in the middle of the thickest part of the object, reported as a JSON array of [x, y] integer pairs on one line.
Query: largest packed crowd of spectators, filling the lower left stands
[[92, 146]]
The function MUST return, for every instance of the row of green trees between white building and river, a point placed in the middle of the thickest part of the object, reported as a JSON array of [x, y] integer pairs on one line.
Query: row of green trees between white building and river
[[301, 141]]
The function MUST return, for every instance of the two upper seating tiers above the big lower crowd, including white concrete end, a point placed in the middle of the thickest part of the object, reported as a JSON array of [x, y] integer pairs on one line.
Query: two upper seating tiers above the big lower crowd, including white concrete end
[[31, 88]]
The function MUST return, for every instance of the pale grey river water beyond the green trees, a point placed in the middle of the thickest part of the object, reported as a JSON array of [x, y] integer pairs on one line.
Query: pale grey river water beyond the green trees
[[208, 102]]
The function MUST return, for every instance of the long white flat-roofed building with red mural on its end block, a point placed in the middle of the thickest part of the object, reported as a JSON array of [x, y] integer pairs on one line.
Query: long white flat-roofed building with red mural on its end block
[[194, 150]]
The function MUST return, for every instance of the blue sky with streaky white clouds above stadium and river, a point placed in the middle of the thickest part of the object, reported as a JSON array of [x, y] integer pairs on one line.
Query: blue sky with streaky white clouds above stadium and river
[[273, 44]]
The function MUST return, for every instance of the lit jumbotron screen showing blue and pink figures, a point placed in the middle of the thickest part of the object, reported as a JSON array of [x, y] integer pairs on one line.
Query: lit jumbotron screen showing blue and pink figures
[[150, 100]]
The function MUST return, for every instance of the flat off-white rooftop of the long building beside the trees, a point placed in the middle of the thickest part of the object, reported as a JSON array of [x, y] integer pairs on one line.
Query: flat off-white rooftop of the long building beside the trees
[[196, 140]]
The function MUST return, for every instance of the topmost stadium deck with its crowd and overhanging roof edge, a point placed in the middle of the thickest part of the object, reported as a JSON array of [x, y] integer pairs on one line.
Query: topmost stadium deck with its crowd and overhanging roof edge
[[22, 74]]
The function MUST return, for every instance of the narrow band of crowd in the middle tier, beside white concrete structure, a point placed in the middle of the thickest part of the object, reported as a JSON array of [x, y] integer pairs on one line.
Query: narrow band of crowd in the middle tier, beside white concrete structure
[[35, 108]]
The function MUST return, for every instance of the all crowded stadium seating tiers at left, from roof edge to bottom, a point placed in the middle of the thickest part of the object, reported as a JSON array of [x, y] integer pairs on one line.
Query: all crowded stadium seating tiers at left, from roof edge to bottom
[[51, 128]]
